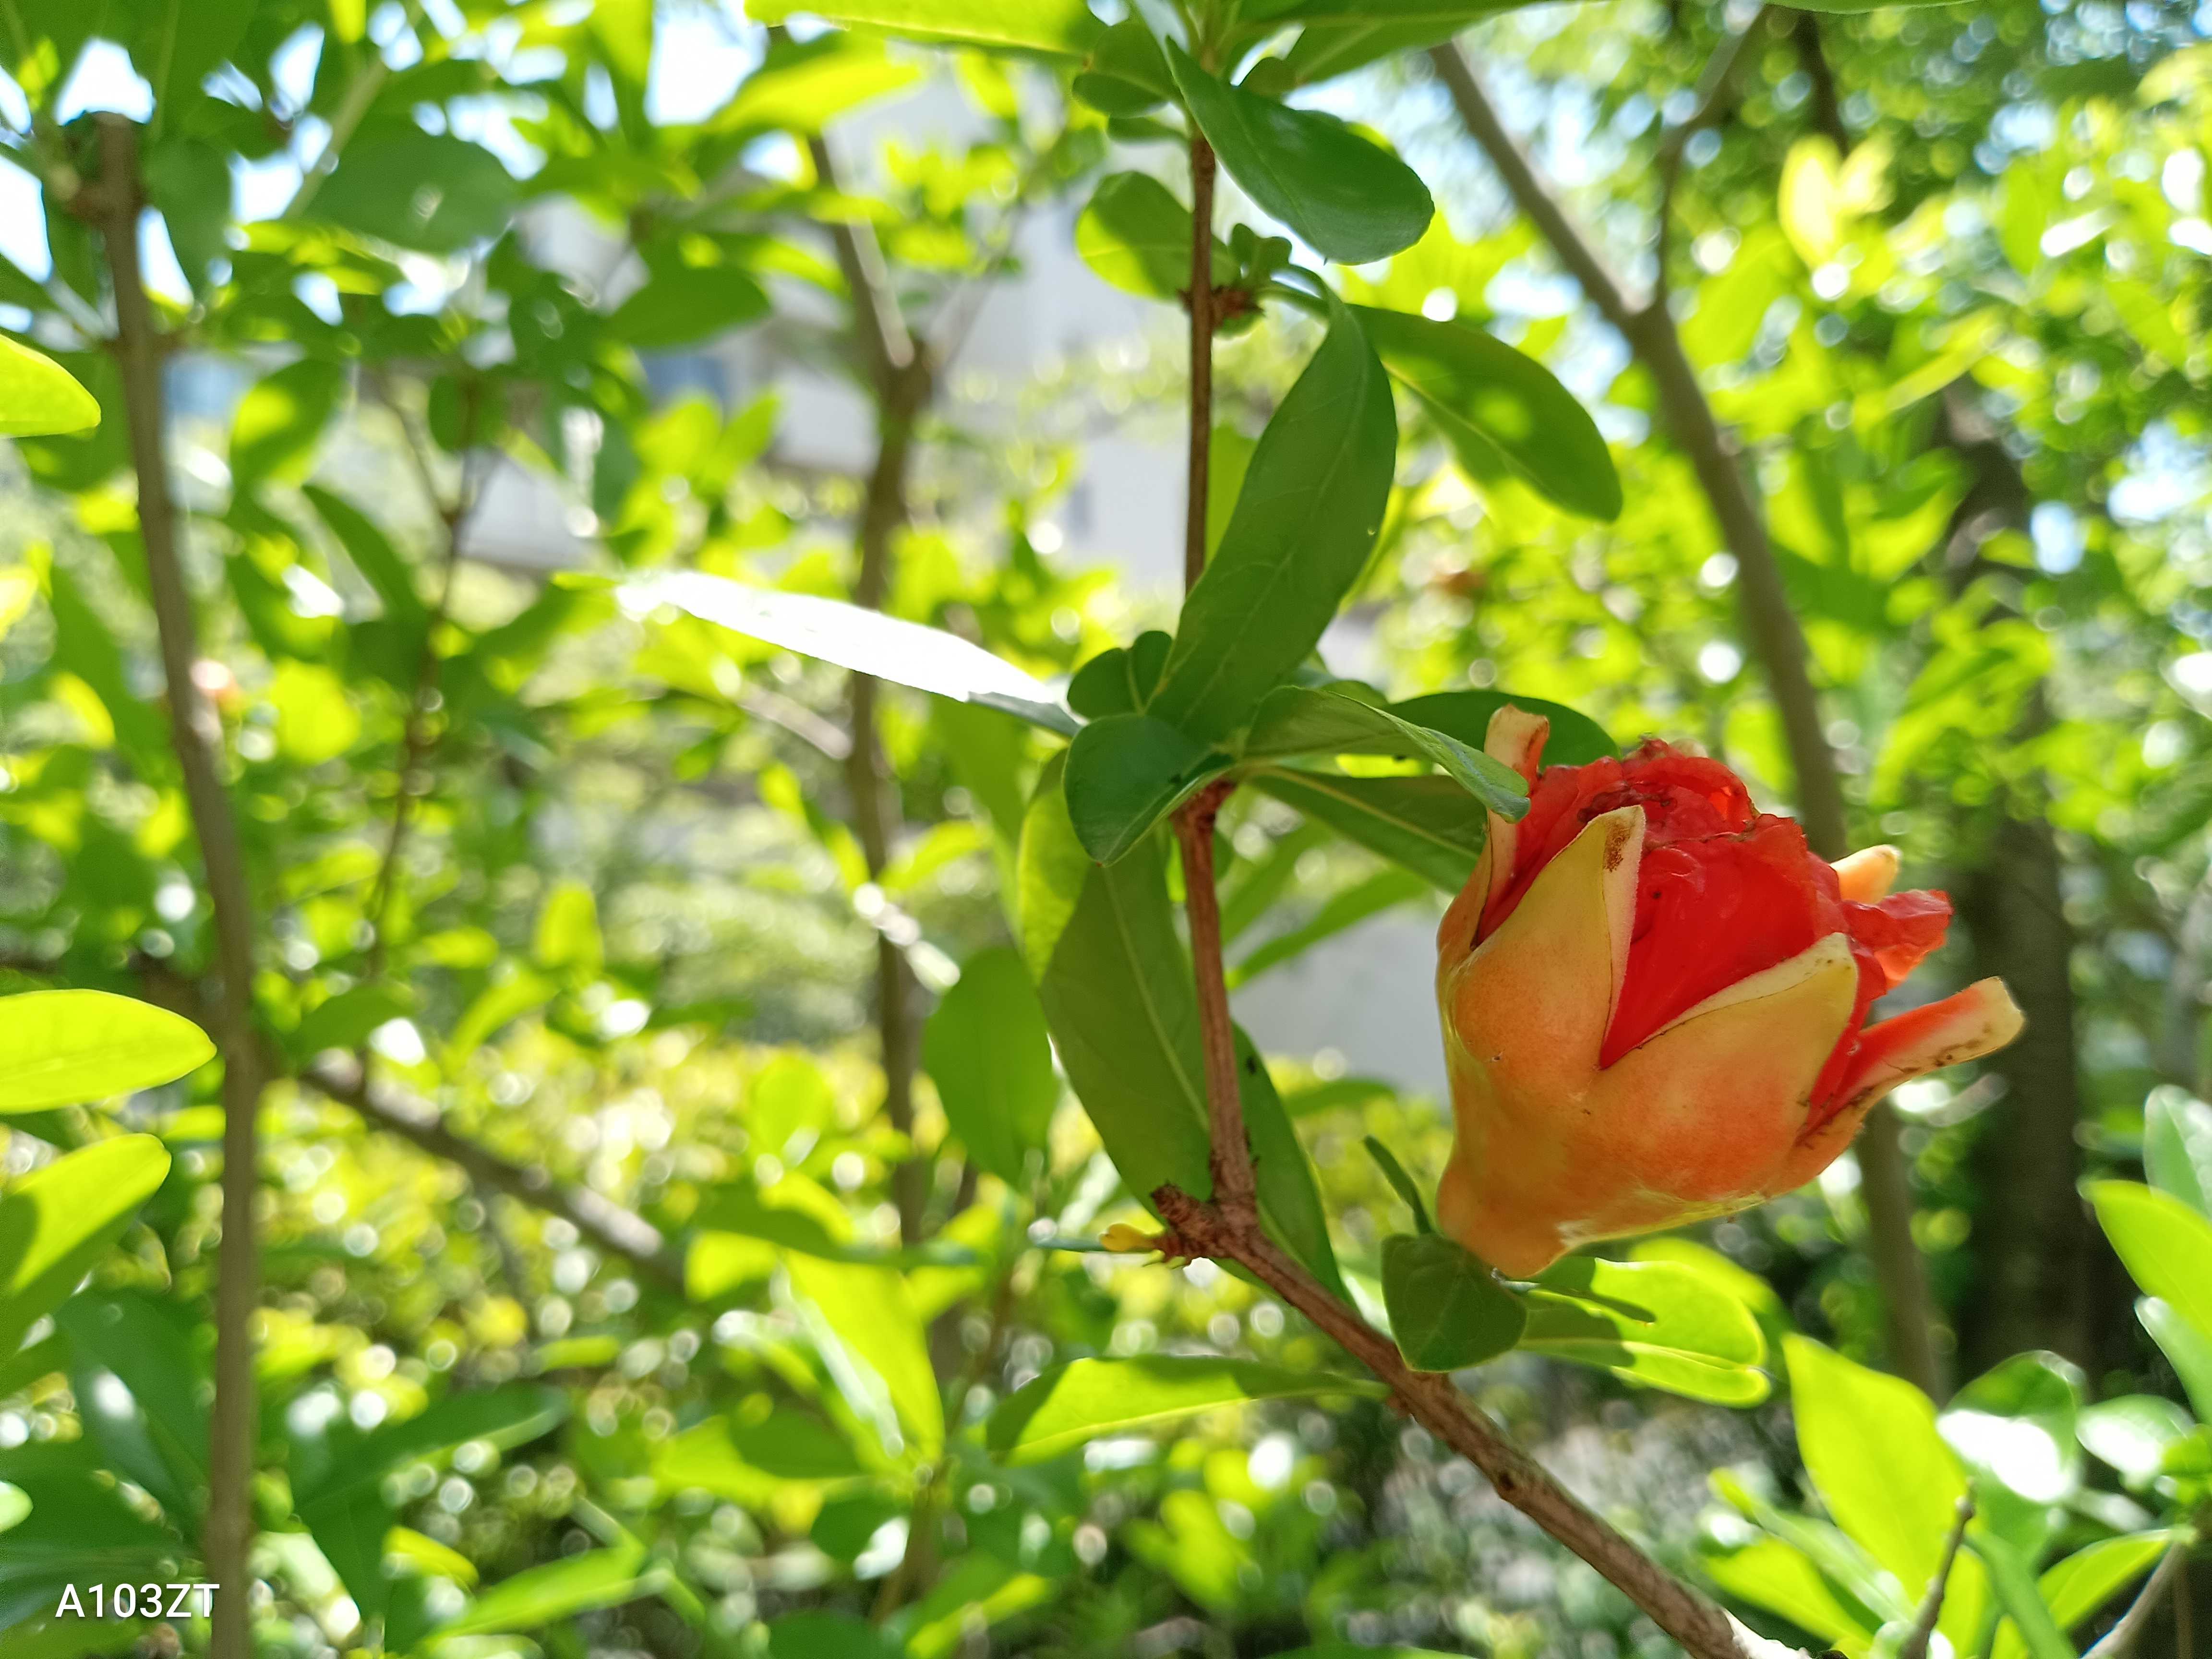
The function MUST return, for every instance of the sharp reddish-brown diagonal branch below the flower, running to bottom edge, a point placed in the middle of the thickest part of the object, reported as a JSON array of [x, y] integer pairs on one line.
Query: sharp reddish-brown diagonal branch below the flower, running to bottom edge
[[1437, 1406]]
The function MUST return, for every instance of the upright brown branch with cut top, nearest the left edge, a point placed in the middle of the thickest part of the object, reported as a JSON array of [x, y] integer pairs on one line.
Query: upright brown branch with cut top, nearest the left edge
[[114, 207]]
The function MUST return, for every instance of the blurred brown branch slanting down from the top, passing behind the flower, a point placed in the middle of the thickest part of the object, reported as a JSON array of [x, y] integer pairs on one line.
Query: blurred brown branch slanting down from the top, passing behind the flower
[[1777, 643]]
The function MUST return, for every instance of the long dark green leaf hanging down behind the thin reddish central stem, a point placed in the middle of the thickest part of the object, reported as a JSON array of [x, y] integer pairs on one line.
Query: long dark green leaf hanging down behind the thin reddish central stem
[[1120, 1001]]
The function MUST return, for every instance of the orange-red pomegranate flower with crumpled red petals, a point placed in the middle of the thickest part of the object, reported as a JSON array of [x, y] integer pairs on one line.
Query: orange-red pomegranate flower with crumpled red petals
[[1656, 1005]]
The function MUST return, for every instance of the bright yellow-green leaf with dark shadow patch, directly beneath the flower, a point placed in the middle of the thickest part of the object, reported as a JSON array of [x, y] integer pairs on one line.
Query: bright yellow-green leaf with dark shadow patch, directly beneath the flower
[[1649, 1322]]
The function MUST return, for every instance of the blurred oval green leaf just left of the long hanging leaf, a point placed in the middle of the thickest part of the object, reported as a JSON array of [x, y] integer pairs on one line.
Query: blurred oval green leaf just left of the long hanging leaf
[[992, 1061]]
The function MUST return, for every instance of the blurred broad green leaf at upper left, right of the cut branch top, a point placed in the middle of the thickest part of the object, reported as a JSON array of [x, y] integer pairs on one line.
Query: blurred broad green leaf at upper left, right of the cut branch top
[[417, 189]]
